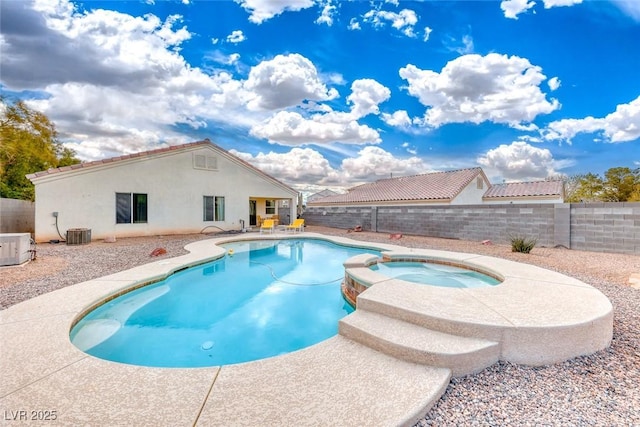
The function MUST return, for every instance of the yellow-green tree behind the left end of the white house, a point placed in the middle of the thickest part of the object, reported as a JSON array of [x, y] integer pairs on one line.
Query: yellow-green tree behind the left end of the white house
[[28, 144]]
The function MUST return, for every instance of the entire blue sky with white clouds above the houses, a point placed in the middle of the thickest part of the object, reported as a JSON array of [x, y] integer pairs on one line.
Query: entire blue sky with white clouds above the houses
[[331, 94]]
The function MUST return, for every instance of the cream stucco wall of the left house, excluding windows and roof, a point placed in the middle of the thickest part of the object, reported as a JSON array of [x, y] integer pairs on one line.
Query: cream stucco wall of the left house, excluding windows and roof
[[174, 188]]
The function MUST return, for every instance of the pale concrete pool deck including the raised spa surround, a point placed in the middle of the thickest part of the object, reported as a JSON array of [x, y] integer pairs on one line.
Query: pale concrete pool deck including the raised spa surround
[[340, 381]]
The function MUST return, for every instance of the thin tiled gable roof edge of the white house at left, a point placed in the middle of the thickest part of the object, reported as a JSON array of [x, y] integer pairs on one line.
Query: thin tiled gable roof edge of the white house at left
[[149, 154]]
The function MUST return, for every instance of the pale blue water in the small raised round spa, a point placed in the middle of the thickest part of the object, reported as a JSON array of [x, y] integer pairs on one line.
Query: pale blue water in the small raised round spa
[[434, 274]]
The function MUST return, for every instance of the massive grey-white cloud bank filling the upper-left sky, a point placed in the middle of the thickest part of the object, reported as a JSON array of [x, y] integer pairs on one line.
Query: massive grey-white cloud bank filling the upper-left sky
[[103, 63]]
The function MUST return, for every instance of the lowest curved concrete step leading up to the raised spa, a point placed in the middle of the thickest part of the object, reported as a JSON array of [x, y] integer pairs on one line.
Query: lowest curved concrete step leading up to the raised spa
[[413, 343]]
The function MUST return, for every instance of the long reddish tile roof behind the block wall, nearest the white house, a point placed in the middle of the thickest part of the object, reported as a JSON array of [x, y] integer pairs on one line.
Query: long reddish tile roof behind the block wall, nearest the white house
[[437, 186]]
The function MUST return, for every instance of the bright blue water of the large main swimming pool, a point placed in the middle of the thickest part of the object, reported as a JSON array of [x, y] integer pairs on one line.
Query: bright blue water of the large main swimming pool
[[270, 297]]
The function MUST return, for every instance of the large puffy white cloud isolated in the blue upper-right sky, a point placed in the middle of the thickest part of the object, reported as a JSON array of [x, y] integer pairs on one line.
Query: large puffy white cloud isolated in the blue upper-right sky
[[474, 88]]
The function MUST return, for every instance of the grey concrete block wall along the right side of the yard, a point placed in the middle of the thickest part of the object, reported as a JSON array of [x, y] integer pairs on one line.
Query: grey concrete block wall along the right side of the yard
[[600, 227]]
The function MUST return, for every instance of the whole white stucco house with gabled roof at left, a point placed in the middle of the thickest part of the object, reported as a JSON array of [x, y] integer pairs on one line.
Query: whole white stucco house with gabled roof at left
[[174, 190]]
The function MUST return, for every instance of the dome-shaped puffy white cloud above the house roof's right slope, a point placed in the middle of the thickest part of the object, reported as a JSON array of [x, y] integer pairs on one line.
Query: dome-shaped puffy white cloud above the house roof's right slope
[[285, 81]]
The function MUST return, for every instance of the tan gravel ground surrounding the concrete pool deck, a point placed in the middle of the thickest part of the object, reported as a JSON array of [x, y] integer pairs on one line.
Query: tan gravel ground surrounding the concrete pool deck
[[602, 389]]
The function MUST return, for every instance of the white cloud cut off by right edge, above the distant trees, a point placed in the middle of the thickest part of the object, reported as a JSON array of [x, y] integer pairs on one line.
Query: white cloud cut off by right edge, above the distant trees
[[623, 125]]
